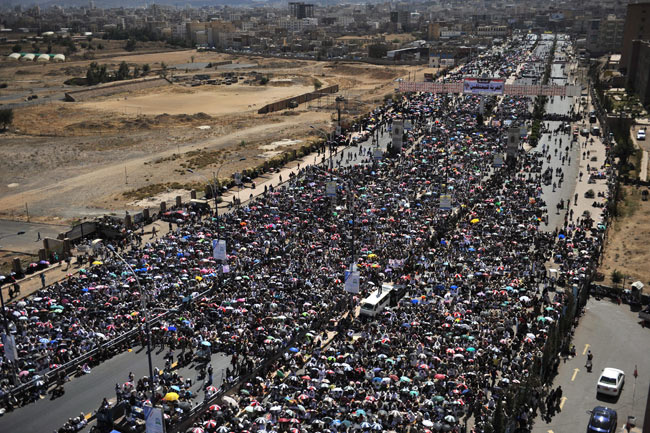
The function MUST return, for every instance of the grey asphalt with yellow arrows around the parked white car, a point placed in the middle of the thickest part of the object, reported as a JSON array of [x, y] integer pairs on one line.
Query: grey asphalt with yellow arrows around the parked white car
[[614, 335]]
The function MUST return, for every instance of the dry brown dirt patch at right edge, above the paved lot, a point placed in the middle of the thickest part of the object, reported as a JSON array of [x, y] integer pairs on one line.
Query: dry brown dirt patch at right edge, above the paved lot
[[627, 246]]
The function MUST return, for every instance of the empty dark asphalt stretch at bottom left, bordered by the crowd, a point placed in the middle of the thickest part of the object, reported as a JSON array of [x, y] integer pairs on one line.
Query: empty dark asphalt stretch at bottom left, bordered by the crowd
[[86, 393]]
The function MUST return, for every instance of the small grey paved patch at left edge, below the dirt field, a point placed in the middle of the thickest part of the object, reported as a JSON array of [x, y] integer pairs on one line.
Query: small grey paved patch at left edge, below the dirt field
[[27, 242]]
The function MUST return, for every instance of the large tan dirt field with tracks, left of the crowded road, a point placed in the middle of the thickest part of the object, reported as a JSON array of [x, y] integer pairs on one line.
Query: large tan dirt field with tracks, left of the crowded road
[[72, 160]]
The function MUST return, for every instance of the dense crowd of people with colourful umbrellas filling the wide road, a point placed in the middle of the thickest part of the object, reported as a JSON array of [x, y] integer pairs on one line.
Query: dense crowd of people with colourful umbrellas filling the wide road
[[472, 325]]
